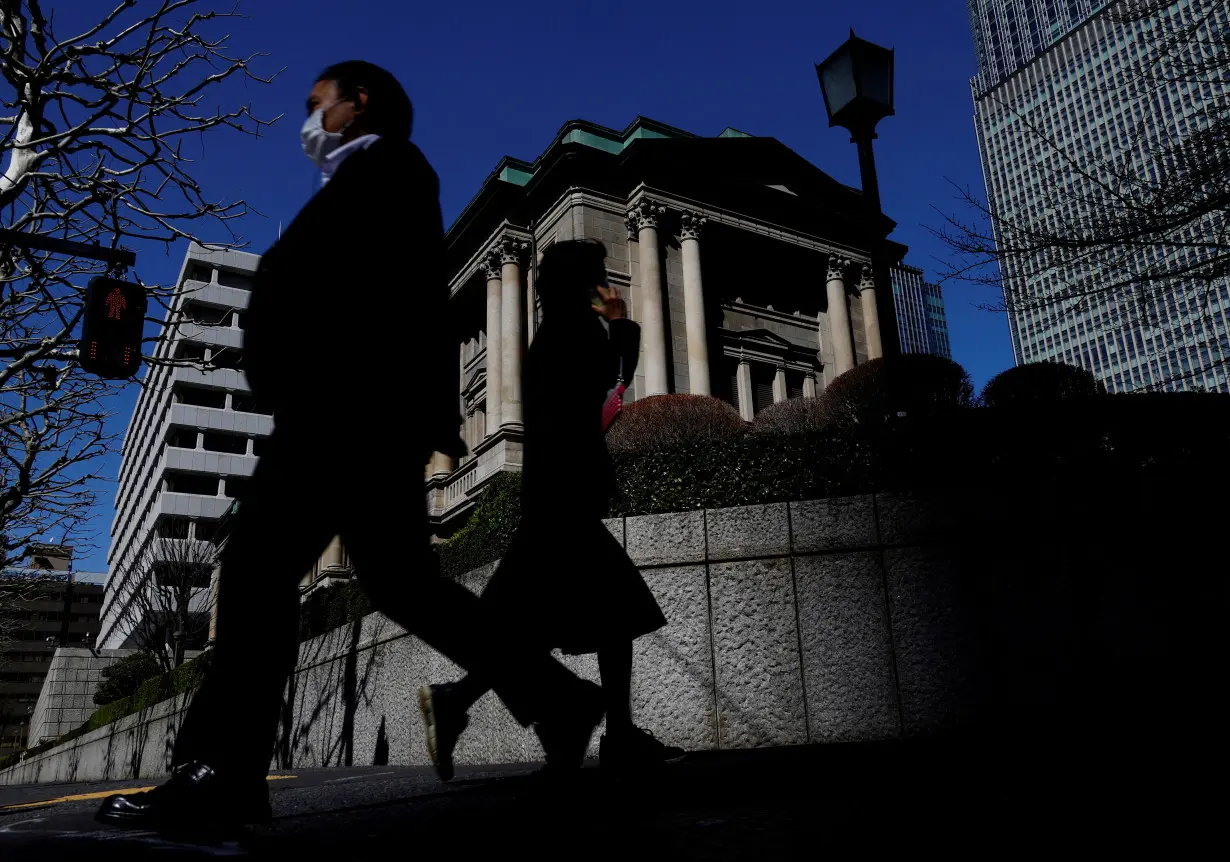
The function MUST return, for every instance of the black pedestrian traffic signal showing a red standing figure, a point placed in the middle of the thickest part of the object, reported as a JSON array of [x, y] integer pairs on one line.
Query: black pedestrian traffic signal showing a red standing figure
[[113, 329]]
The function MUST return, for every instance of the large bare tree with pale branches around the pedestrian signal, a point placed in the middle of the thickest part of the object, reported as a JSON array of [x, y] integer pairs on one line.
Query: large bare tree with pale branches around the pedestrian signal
[[97, 146]]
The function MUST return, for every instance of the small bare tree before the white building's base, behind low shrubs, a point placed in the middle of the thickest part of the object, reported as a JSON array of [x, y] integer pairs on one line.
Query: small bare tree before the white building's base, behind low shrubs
[[170, 598]]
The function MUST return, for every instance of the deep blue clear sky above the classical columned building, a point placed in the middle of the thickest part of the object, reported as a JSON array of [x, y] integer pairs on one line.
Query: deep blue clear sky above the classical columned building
[[494, 79]]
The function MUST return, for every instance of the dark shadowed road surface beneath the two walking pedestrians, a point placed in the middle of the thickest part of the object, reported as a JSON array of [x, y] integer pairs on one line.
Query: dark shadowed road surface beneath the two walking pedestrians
[[812, 804]]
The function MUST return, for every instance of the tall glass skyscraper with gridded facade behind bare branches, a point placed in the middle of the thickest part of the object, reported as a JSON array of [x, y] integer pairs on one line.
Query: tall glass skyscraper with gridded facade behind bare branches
[[1061, 108]]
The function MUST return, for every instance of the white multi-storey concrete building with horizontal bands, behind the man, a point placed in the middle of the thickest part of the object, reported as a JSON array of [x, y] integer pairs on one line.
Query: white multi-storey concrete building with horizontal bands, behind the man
[[195, 435]]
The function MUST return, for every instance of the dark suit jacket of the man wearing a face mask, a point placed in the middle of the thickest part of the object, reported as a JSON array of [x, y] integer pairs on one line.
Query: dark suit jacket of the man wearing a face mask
[[349, 319]]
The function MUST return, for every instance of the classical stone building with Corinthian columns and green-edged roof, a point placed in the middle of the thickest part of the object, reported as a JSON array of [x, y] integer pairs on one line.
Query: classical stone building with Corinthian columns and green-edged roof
[[755, 276]]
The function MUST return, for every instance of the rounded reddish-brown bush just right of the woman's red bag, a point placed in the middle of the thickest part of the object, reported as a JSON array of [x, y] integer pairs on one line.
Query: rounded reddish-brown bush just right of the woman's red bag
[[672, 421]]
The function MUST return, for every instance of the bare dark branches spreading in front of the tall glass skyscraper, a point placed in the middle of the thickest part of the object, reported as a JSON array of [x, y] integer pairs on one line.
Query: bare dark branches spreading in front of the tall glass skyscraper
[[1137, 228]]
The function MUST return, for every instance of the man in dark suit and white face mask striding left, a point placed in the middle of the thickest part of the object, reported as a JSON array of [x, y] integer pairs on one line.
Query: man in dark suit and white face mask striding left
[[347, 340]]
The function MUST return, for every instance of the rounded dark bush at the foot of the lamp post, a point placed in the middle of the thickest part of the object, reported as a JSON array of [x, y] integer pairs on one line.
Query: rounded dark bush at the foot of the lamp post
[[918, 384]]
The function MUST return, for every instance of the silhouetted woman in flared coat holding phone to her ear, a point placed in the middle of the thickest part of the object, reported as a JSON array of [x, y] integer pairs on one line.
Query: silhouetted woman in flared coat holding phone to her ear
[[565, 577]]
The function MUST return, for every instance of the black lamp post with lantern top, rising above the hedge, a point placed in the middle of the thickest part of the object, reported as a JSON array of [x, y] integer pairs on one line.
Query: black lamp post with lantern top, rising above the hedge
[[857, 82]]
